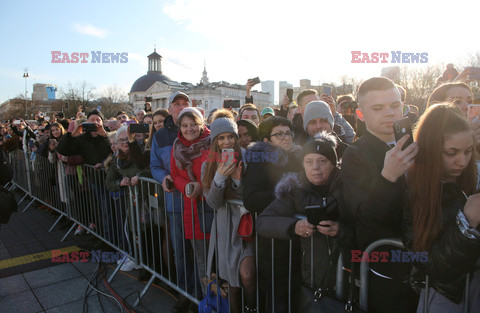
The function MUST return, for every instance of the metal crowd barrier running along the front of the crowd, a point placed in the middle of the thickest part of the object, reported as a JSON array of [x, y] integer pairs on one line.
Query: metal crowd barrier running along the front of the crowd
[[135, 223]]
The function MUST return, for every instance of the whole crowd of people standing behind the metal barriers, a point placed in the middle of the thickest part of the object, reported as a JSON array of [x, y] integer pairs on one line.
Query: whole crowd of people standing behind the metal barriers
[[338, 157]]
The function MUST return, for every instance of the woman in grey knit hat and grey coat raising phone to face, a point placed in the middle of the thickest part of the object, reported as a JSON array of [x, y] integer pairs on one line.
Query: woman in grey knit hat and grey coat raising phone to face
[[222, 180]]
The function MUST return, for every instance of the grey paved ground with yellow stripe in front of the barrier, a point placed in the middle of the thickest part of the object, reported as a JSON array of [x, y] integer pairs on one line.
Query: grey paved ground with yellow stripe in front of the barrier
[[30, 282]]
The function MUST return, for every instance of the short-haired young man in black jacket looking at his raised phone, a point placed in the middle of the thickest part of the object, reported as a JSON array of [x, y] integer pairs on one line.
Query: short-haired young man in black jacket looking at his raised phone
[[373, 176]]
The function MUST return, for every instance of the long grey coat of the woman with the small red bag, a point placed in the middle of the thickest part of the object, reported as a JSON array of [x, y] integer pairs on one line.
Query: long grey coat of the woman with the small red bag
[[231, 248]]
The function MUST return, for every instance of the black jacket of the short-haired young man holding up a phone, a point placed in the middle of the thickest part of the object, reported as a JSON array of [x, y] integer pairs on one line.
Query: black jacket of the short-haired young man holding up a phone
[[374, 203]]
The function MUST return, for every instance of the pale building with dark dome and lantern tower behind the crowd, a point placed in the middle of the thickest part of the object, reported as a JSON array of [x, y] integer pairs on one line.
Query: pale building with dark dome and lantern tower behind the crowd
[[210, 95]]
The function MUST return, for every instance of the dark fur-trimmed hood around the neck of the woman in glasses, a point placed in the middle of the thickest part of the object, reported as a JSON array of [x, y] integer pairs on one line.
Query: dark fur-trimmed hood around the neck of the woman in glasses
[[266, 152]]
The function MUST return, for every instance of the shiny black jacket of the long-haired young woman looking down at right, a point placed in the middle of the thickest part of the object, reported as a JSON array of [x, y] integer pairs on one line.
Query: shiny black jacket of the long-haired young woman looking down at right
[[453, 255]]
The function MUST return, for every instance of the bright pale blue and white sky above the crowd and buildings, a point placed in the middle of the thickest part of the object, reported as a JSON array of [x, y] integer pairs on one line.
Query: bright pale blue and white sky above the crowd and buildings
[[238, 39]]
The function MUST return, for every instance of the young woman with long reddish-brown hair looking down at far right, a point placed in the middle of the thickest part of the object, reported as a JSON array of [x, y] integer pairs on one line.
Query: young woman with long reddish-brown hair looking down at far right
[[443, 215]]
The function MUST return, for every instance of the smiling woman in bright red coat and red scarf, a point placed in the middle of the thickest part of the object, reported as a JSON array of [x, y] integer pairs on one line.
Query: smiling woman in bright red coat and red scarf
[[188, 154]]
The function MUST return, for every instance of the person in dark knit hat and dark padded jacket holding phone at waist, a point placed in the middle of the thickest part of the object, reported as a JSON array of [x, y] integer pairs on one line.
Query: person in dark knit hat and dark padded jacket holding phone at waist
[[285, 218]]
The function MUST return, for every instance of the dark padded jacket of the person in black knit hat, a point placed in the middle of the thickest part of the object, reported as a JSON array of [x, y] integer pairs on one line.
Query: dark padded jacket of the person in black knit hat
[[293, 193]]
